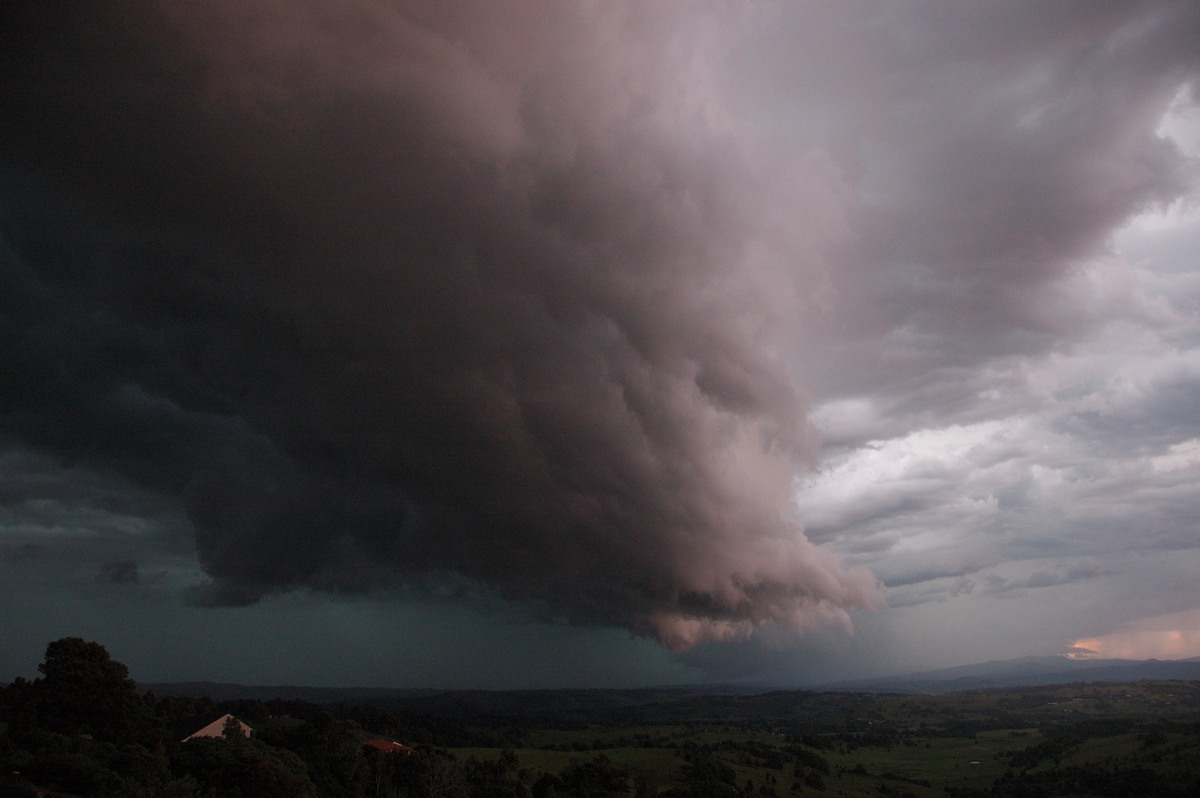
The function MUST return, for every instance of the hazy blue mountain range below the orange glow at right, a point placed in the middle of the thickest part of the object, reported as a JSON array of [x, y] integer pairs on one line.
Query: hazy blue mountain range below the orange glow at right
[[1025, 673]]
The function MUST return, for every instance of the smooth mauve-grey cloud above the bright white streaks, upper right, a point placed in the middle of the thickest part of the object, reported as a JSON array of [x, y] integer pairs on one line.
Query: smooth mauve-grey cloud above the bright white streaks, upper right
[[1003, 153]]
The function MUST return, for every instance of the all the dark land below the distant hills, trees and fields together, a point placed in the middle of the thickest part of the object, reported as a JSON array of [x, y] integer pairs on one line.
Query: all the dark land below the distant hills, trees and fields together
[[83, 729]]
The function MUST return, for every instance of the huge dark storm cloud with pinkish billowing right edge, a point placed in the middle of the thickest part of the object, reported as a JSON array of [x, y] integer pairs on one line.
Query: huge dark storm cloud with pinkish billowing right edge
[[382, 291]]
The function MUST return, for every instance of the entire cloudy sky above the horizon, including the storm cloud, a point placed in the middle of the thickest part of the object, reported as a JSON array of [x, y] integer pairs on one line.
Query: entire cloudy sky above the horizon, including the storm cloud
[[598, 344]]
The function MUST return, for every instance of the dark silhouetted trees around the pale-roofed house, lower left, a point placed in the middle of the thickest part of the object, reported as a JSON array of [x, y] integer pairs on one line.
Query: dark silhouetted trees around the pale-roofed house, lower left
[[83, 729]]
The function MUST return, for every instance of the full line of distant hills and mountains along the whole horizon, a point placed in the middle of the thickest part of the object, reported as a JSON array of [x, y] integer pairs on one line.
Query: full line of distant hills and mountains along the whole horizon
[[1029, 671]]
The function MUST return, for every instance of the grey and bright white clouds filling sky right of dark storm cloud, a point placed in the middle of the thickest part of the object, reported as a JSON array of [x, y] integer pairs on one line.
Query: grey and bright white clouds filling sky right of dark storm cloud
[[994, 161]]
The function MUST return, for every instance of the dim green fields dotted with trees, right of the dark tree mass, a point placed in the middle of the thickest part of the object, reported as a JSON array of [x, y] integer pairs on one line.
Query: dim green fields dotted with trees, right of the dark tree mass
[[904, 746]]
